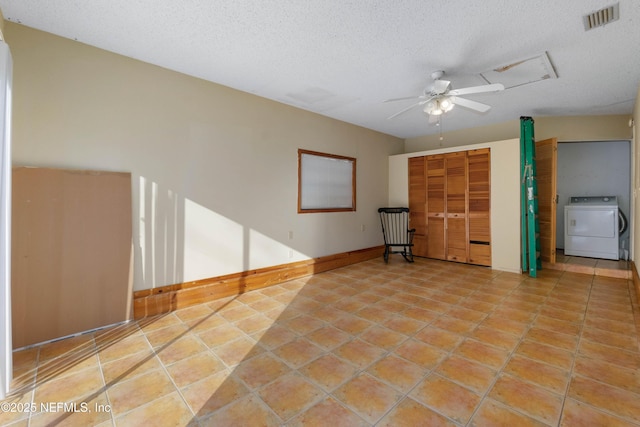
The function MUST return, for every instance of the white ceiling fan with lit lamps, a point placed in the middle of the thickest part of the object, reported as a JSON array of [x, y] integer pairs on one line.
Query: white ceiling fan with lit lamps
[[440, 98]]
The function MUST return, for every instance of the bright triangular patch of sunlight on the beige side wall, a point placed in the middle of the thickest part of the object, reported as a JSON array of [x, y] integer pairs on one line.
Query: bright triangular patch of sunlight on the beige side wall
[[180, 240]]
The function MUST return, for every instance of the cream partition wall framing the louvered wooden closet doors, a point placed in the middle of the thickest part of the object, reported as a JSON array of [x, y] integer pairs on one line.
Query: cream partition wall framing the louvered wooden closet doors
[[505, 196]]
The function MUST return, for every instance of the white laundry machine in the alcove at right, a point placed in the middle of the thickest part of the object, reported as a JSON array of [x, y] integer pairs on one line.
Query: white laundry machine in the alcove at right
[[591, 227]]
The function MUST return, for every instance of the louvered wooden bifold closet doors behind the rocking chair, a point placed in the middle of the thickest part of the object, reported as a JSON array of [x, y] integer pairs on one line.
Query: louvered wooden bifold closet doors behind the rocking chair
[[450, 206]]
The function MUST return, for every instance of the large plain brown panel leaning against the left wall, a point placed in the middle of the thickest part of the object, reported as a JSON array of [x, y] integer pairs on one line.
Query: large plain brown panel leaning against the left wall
[[71, 252]]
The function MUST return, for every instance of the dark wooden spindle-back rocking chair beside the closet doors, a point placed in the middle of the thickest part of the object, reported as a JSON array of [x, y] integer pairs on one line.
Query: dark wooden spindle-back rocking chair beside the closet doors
[[395, 228]]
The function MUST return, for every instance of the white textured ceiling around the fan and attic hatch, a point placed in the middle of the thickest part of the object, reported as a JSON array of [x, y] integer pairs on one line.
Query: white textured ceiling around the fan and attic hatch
[[343, 58]]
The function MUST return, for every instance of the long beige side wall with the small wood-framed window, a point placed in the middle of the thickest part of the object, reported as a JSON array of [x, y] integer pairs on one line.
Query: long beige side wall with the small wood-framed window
[[214, 170]]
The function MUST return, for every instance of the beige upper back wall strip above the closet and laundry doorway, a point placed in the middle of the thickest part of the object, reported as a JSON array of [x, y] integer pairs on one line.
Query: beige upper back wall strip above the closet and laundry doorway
[[573, 128]]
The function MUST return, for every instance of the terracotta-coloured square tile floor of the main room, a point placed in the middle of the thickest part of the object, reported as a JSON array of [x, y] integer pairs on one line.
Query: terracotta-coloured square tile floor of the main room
[[424, 344]]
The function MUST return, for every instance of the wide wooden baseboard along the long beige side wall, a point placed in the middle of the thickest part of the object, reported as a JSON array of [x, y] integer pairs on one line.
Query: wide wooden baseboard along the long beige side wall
[[151, 302]]
